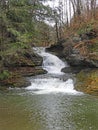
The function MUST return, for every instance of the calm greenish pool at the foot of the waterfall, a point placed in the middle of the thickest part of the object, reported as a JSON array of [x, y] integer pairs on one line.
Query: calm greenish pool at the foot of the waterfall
[[21, 110]]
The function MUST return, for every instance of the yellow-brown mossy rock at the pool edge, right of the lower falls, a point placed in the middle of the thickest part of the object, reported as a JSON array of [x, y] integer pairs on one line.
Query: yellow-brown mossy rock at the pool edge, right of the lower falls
[[87, 81]]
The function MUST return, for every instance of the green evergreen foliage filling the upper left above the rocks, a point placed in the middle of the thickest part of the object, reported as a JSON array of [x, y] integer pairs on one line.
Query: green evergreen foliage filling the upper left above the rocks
[[20, 21]]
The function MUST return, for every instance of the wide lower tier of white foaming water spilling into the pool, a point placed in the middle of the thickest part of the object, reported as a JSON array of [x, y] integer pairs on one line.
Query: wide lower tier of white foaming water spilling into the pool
[[44, 86]]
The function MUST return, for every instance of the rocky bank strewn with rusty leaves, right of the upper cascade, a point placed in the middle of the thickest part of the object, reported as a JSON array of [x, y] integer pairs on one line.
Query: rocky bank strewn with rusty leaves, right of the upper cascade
[[79, 50]]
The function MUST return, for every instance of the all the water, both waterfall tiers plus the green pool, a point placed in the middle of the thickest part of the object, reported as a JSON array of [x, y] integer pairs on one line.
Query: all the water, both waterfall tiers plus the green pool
[[50, 103]]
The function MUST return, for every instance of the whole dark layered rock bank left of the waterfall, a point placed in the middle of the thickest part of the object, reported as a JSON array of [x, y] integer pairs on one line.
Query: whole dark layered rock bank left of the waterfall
[[17, 66]]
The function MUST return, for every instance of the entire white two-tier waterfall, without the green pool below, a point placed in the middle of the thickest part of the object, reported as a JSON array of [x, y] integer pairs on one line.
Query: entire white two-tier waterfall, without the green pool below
[[53, 81]]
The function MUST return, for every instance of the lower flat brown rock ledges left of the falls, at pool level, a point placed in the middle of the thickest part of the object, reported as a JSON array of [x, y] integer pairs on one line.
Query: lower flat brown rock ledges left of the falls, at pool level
[[18, 77]]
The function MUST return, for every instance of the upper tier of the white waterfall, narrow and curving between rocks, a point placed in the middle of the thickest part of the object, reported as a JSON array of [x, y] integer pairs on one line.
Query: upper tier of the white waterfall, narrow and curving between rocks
[[51, 63]]
